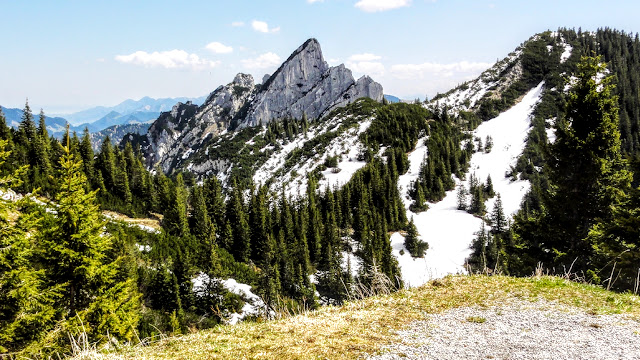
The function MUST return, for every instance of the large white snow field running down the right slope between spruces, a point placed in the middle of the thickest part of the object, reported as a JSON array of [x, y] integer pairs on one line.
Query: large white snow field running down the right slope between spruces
[[449, 231]]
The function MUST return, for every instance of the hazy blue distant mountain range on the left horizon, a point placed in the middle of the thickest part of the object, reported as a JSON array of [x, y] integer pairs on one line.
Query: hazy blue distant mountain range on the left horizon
[[128, 112]]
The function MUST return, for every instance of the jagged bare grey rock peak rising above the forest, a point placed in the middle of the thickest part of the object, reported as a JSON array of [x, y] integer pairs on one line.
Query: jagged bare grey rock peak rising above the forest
[[303, 85]]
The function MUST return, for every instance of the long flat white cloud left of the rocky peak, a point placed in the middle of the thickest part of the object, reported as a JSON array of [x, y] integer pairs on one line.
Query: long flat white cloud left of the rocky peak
[[173, 59]]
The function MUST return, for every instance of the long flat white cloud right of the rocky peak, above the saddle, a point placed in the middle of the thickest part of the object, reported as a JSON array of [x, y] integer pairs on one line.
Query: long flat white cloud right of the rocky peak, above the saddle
[[429, 70]]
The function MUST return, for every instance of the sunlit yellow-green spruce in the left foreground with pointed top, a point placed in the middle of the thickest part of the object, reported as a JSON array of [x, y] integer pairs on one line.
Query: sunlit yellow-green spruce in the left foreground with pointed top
[[75, 249]]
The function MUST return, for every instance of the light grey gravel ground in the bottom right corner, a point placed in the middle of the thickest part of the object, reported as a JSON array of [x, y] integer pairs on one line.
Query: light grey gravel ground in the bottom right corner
[[519, 330]]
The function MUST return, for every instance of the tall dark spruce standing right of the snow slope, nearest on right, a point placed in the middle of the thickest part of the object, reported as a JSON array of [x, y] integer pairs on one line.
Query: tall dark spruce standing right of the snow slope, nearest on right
[[586, 171]]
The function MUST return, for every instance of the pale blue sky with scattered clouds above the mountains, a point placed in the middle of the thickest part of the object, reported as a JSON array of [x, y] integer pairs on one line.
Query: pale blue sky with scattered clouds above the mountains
[[70, 55]]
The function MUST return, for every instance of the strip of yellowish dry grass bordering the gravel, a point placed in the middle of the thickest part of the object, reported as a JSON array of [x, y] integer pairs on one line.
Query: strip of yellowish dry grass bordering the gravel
[[362, 327]]
